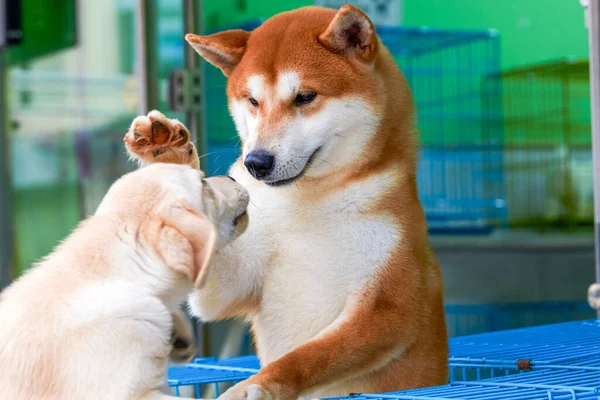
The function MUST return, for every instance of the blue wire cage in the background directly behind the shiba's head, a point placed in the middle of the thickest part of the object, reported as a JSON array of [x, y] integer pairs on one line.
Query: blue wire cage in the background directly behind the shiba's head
[[460, 173]]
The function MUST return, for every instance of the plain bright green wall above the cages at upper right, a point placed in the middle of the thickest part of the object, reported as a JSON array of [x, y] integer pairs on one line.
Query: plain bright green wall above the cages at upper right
[[532, 30]]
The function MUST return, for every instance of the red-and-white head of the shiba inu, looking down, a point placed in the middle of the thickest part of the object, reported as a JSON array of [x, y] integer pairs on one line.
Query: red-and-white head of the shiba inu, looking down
[[304, 90]]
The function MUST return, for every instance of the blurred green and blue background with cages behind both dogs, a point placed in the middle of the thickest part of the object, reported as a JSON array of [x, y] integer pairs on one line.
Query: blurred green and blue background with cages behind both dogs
[[502, 91]]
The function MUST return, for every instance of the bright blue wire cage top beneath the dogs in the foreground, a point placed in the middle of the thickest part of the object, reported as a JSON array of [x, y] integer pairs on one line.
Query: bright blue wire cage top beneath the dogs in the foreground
[[560, 361]]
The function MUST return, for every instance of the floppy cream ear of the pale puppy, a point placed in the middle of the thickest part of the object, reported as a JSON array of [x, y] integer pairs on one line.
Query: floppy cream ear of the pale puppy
[[185, 225]]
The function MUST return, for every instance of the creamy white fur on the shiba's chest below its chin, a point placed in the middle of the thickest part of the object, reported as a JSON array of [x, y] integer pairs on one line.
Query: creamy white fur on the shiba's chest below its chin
[[318, 258]]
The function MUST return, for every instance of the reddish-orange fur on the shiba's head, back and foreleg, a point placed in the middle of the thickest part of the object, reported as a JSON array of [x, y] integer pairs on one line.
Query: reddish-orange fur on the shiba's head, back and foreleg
[[393, 335]]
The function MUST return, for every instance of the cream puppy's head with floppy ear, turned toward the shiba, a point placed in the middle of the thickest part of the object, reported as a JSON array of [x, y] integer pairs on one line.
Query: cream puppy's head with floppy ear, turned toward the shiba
[[179, 214]]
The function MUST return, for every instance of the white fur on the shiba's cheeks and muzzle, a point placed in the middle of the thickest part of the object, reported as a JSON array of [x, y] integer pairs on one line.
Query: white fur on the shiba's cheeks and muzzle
[[340, 129]]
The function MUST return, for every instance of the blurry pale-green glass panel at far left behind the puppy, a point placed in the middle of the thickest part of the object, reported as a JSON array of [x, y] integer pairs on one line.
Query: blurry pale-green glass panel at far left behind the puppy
[[69, 111]]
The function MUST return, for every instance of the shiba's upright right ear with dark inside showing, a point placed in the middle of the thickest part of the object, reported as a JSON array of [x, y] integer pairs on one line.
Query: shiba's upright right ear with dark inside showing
[[351, 32]]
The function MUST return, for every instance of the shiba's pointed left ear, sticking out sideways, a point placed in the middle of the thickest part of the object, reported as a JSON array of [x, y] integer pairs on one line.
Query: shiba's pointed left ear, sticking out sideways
[[223, 50]]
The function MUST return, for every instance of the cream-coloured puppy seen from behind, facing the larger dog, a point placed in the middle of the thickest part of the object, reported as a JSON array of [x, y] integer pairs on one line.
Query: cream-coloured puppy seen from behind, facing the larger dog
[[98, 318]]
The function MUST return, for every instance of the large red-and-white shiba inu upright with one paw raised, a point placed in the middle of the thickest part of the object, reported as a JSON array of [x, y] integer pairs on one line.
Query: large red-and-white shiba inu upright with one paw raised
[[335, 272]]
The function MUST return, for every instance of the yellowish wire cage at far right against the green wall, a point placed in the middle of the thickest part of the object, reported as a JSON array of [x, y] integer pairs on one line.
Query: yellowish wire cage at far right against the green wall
[[547, 144]]
